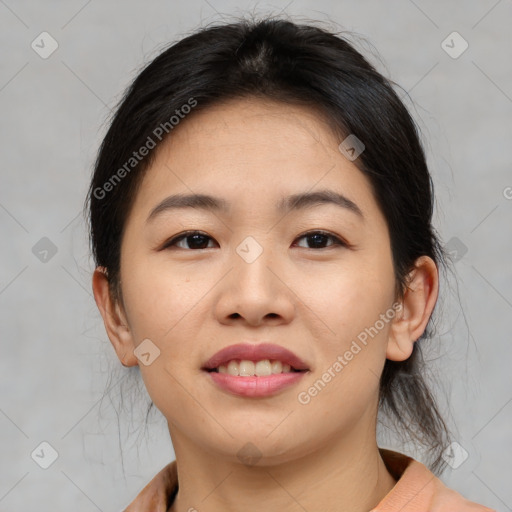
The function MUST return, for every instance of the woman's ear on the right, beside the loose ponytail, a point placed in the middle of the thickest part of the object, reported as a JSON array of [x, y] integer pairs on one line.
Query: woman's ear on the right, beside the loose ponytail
[[418, 303]]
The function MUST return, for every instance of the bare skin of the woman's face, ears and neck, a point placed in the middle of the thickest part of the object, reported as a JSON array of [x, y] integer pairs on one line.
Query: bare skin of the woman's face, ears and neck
[[190, 303]]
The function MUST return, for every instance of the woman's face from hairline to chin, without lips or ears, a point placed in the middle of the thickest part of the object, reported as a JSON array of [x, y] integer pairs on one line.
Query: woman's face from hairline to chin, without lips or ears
[[255, 273]]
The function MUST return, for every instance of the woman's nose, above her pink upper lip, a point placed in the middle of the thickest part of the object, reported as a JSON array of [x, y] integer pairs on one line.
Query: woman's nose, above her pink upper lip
[[255, 293]]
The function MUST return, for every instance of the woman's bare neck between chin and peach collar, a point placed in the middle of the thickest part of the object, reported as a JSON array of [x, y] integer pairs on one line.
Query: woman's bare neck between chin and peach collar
[[346, 475]]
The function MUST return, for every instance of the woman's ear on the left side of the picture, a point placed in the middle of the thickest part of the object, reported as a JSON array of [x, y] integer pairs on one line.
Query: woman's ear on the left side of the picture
[[114, 319]]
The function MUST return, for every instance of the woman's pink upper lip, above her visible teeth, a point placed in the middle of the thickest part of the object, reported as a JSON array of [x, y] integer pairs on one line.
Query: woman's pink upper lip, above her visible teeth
[[251, 352]]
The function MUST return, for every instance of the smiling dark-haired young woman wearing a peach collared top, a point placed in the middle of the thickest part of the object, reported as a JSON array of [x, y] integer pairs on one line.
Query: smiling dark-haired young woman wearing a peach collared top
[[260, 218]]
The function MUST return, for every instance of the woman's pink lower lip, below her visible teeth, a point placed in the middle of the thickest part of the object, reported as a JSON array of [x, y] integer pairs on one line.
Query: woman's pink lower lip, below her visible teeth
[[256, 386]]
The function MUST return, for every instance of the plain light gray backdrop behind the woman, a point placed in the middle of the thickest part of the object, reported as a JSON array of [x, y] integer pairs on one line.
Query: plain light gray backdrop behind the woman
[[56, 357]]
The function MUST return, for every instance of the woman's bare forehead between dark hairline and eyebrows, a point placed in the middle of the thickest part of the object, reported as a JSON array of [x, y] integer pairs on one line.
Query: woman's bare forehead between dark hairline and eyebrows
[[252, 151]]
